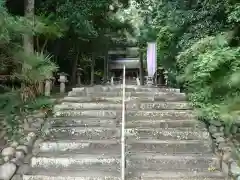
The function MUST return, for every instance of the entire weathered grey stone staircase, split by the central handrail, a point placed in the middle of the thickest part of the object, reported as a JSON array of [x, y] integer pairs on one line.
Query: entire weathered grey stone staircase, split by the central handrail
[[163, 139]]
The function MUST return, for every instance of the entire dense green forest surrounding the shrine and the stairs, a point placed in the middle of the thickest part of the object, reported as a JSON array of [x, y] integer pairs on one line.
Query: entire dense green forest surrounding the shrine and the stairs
[[197, 43]]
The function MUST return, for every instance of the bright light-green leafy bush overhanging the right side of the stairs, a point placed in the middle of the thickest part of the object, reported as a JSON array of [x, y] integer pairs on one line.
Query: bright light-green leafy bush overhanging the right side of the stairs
[[210, 73]]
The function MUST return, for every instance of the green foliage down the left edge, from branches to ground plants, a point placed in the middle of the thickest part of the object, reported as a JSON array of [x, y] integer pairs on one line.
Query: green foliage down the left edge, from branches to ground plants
[[28, 69]]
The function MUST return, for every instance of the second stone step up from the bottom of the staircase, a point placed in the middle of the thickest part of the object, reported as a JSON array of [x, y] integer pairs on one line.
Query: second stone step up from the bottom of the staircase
[[135, 162]]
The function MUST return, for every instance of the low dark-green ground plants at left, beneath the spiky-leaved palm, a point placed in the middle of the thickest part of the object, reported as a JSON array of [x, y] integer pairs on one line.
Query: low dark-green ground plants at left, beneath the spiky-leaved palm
[[15, 110]]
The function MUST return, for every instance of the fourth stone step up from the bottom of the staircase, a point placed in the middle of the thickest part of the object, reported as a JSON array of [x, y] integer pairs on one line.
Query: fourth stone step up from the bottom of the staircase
[[103, 133]]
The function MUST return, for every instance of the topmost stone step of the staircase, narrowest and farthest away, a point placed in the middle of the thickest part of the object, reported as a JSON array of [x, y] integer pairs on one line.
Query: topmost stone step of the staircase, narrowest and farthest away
[[129, 88]]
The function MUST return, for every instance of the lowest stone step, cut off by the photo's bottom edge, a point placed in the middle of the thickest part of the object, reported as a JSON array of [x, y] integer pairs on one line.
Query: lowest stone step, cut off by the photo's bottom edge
[[58, 174]]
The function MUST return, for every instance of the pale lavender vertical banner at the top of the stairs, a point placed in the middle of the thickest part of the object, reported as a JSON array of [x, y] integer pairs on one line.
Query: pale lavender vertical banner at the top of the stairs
[[151, 58]]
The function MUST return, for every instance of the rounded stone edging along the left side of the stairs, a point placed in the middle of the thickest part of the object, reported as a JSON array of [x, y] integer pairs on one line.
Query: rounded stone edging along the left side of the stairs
[[15, 157]]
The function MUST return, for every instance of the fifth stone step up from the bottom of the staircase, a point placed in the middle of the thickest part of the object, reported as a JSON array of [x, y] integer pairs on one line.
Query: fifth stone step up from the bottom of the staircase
[[108, 122]]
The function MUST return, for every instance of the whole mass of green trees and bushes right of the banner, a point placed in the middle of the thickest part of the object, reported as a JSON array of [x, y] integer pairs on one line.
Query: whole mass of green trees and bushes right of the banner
[[198, 44]]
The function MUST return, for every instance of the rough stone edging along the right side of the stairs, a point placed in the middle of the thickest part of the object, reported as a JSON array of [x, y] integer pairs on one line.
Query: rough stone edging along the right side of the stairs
[[224, 149]]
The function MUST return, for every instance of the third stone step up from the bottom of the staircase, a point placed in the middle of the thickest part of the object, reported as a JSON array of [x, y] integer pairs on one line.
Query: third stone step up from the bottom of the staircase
[[114, 146]]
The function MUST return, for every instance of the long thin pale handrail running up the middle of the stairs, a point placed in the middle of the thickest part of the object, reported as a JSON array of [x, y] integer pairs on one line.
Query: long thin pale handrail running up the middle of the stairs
[[123, 127]]
